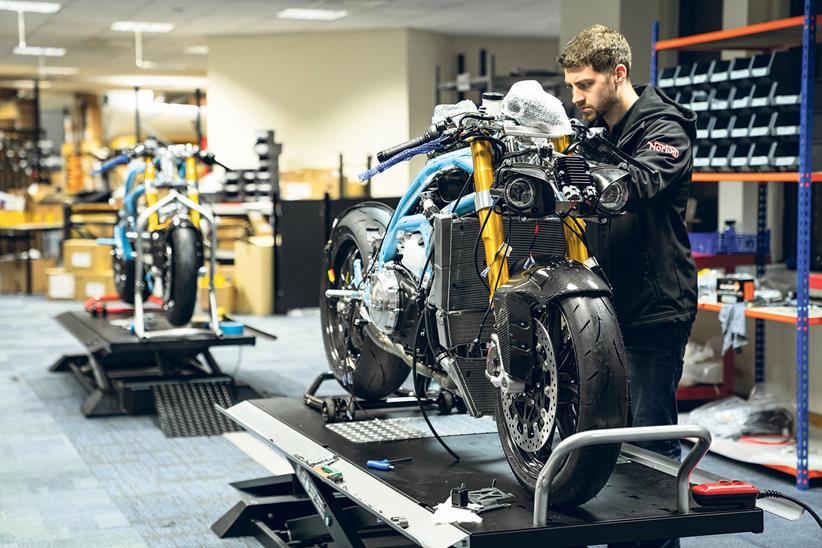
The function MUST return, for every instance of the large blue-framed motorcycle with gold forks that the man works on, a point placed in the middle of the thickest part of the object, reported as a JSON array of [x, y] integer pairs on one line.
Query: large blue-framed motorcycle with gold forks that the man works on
[[526, 333]]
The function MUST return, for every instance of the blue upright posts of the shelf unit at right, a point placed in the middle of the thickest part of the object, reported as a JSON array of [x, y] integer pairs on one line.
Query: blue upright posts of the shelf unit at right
[[803, 233]]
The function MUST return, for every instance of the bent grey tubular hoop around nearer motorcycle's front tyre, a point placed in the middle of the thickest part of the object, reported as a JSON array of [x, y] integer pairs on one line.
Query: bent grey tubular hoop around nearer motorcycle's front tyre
[[619, 435]]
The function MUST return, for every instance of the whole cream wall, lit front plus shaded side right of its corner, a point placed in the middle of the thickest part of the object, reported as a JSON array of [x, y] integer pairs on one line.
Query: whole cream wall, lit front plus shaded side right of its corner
[[349, 92]]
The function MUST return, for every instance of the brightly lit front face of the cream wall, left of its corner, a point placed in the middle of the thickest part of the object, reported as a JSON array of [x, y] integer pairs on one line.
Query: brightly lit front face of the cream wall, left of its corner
[[322, 93]]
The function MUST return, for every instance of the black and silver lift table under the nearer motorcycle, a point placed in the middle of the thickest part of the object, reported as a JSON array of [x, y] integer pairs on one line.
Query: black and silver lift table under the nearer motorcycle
[[395, 508]]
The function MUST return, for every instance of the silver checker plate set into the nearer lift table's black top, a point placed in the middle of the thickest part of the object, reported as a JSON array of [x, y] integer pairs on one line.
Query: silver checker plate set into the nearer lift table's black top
[[410, 428]]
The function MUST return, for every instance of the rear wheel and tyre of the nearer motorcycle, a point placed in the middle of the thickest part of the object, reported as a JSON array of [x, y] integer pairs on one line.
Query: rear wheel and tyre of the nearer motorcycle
[[359, 365]]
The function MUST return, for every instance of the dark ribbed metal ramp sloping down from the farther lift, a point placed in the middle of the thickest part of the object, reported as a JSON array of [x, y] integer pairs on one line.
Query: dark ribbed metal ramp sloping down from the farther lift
[[187, 409]]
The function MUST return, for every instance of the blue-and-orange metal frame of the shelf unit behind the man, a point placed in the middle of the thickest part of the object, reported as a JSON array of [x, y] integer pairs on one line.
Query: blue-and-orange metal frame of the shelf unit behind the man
[[768, 37]]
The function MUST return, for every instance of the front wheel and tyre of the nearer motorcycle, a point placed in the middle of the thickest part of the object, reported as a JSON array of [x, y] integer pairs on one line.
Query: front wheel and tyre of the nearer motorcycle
[[579, 383]]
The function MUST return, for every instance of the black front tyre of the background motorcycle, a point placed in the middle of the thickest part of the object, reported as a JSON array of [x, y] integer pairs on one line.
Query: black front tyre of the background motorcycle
[[185, 261]]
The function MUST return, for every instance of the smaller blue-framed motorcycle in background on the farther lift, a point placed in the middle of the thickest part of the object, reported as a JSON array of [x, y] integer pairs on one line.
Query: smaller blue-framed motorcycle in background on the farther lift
[[163, 242]]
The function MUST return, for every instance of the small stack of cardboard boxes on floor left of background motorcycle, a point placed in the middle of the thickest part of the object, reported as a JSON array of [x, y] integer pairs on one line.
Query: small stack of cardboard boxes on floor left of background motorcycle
[[86, 268]]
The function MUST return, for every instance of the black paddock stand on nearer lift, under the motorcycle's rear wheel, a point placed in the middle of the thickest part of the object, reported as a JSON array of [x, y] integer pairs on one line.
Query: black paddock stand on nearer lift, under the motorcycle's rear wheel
[[344, 408]]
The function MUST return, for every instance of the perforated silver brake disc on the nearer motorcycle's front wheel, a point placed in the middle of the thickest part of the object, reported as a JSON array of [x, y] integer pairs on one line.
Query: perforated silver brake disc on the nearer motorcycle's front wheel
[[530, 415]]
